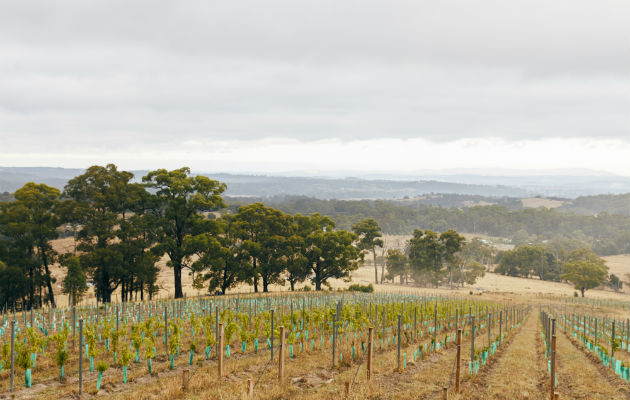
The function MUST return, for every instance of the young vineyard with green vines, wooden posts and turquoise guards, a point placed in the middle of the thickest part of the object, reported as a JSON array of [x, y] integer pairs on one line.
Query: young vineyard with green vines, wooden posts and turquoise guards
[[332, 345]]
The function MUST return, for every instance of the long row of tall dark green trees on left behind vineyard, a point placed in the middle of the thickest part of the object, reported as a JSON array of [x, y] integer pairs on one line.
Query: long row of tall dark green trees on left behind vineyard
[[123, 228]]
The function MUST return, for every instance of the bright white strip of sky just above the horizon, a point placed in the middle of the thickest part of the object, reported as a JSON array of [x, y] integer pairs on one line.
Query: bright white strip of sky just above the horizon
[[331, 156]]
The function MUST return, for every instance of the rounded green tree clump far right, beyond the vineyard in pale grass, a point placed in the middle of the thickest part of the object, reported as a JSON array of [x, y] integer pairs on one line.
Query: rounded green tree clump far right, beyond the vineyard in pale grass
[[579, 266]]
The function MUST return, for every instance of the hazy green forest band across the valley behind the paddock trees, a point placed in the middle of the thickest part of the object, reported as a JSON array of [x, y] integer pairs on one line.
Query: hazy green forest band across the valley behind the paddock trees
[[604, 232]]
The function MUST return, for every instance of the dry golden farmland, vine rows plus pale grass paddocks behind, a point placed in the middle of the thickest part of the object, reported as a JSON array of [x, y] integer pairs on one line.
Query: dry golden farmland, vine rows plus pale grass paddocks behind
[[514, 365]]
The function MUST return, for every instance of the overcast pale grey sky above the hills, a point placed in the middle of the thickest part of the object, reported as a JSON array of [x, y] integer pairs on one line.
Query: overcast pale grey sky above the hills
[[286, 85]]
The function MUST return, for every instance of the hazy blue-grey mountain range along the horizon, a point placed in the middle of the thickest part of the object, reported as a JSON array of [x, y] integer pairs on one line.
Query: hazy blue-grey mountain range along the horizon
[[519, 186]]
